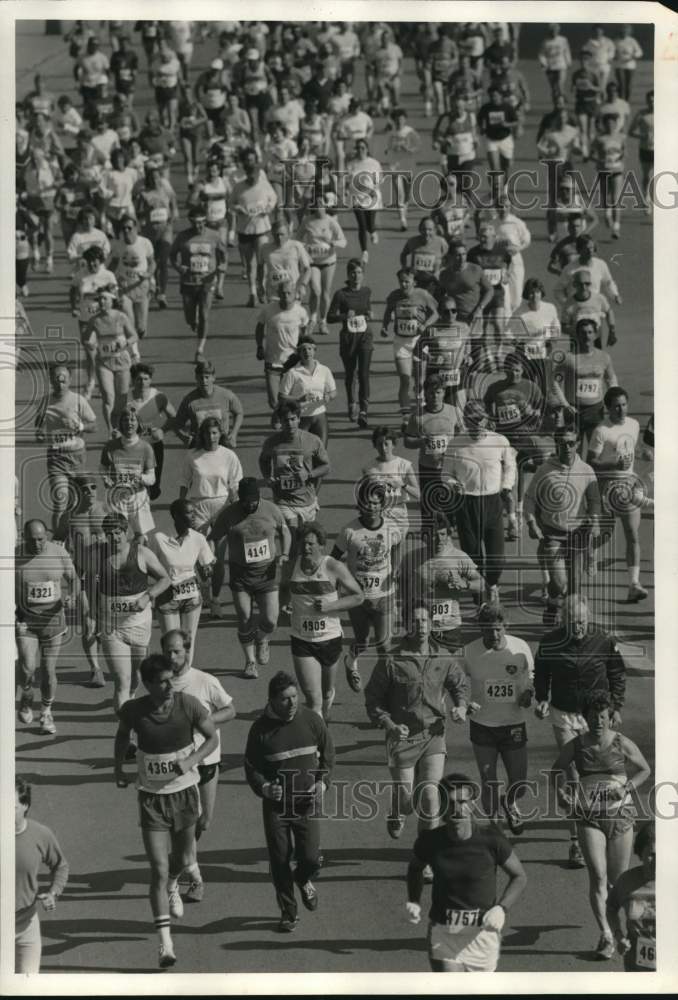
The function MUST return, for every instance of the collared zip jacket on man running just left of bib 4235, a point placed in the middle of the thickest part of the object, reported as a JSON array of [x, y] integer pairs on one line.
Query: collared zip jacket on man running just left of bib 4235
[[409, 687]]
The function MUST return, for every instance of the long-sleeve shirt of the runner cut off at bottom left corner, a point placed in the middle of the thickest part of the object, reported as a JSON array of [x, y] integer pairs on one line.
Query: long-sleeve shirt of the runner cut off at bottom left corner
[[36, 846]]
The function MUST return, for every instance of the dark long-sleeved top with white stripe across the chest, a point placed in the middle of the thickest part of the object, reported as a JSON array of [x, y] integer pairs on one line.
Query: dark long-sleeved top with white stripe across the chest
[[296, 753]]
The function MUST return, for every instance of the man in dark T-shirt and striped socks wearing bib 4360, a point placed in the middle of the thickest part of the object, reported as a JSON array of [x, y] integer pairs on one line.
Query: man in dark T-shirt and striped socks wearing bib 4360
[[166, 723]]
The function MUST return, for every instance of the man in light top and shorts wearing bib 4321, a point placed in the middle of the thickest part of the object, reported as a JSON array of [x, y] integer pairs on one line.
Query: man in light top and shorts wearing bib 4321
[[41, 569]]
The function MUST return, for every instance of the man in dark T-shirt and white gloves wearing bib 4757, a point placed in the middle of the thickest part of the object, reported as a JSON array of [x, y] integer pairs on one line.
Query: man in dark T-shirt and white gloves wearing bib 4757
[[466, 918]]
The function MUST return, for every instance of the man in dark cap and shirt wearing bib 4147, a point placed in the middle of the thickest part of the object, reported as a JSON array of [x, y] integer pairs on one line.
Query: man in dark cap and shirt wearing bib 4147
[[258, 541]]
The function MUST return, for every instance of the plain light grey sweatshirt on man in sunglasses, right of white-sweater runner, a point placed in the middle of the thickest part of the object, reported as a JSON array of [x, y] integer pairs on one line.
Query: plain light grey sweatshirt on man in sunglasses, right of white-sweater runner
[[561, 497]]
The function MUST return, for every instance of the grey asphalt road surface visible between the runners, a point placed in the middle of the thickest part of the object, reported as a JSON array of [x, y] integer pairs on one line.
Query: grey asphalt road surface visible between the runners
[[103, 921]]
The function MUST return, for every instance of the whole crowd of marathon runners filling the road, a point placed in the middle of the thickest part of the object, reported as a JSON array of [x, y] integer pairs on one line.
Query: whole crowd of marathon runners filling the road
[[504, 396]]
